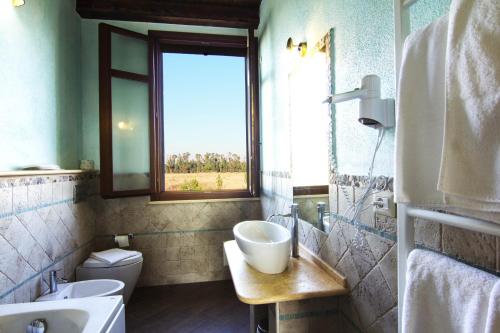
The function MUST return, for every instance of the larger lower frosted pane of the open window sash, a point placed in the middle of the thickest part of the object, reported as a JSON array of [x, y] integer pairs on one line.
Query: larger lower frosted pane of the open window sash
[[130, 104]]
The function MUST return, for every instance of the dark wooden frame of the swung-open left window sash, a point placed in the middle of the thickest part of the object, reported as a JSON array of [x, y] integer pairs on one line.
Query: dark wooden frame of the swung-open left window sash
[[106, 73]]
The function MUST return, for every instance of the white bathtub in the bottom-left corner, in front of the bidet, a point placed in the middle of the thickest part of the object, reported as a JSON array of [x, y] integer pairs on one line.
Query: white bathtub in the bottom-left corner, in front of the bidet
[[92, 315]]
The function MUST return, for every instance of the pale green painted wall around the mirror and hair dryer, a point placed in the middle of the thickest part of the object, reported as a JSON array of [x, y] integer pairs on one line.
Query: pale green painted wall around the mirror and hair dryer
[[364, 44]]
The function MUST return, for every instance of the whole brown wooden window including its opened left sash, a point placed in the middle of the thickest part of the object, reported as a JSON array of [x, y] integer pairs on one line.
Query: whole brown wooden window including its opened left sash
[[179, 115]]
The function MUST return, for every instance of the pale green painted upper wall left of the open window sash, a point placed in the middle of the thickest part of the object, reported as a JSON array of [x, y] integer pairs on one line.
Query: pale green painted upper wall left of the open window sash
[[40, 118]]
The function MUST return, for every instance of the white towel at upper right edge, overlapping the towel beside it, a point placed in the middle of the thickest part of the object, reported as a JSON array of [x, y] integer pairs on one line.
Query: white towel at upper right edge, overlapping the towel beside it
[[470, 166]]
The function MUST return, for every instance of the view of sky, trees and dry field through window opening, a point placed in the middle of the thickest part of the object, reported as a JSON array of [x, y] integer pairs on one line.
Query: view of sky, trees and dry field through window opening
[[204, 122]]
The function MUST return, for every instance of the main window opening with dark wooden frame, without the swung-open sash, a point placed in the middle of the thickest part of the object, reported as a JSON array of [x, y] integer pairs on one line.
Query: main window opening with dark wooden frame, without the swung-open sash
[[205, 116]]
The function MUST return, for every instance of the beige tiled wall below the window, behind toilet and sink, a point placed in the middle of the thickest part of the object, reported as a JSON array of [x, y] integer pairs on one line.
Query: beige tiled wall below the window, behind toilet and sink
[[181, 242]]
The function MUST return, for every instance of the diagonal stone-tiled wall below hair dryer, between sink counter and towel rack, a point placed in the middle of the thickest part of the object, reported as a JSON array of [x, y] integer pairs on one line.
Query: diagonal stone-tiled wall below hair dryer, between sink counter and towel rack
[[365, 252]]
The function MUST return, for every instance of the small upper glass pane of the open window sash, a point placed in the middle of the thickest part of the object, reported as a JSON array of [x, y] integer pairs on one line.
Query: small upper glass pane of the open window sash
[[129, 54]]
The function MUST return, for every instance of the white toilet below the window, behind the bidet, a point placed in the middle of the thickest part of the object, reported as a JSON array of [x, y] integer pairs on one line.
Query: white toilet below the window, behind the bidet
[[126, 270]]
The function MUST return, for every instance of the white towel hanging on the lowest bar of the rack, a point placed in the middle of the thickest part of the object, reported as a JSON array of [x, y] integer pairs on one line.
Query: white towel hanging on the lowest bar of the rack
[[444, 295]]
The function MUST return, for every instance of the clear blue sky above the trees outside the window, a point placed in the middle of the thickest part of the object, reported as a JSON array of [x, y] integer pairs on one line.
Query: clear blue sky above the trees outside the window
[[204, 104]]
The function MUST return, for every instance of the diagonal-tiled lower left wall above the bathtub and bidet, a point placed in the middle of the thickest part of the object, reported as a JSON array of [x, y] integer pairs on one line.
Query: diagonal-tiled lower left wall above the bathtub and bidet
[[42, 228]]
